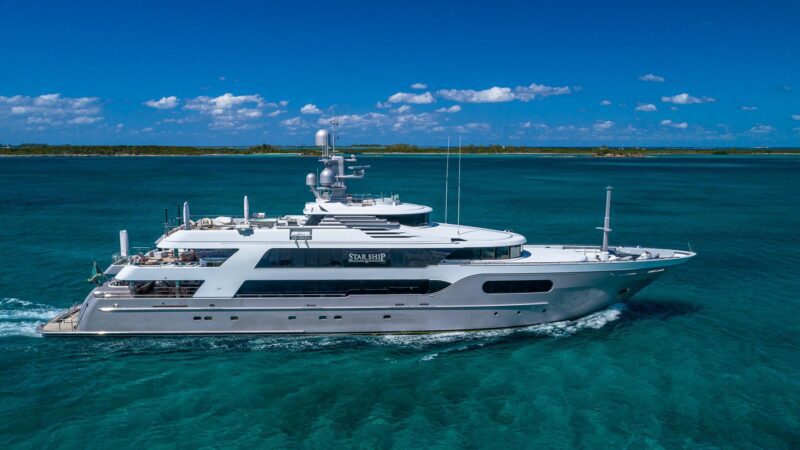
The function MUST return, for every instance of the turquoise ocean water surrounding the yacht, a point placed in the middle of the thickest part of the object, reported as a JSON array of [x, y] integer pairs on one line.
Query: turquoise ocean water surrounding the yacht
[[707, 357]]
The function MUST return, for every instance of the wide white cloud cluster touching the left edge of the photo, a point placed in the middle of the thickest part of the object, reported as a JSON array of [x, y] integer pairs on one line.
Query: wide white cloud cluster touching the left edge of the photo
[[51, 110]]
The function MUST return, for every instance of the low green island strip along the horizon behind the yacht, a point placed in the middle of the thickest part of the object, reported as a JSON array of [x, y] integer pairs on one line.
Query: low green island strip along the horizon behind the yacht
[[264, 149]]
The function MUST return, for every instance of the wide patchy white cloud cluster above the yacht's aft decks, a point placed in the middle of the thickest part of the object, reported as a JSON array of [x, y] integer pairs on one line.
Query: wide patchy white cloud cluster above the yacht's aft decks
[[228, 110]]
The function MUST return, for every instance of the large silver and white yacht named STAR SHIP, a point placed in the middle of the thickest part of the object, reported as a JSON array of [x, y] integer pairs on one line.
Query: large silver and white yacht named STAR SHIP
[[351, 264]]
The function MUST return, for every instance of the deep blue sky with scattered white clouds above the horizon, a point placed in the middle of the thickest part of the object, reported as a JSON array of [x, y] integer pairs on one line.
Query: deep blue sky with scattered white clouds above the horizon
[[566, 73]]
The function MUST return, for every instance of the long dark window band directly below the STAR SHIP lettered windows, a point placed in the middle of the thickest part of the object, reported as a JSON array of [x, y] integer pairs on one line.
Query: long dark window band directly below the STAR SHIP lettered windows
[[316, 288]]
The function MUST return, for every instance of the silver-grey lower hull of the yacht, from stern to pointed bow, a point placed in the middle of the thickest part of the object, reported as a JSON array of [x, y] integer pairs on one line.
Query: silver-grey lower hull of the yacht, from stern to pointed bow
[[460, 307]]
